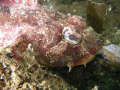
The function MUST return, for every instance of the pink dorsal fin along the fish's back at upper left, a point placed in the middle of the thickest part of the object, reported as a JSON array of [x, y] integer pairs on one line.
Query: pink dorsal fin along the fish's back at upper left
[[15, 3]]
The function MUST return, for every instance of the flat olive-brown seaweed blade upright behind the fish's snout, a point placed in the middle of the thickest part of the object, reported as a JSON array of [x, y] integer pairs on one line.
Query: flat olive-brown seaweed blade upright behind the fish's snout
[[96, 13]]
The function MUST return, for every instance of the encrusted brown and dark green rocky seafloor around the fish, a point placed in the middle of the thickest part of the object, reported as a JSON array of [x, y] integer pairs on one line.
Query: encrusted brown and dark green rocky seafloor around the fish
[[99, 74]]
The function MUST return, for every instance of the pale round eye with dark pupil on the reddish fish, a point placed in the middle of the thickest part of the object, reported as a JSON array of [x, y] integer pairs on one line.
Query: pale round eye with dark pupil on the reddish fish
[[72, 37]]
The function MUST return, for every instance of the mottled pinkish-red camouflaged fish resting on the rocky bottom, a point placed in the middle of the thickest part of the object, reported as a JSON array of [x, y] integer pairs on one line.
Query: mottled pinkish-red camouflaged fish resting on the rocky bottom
[[52, 38]]
